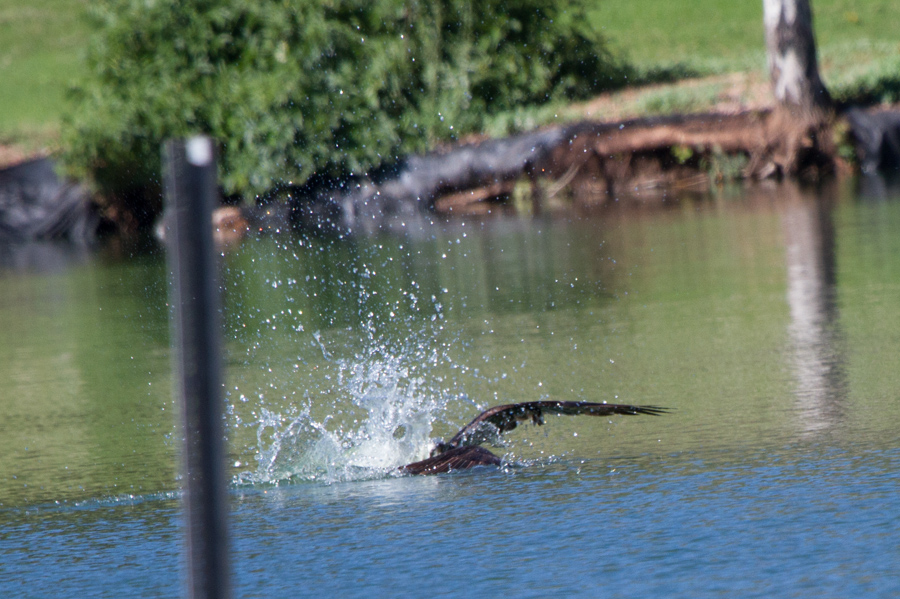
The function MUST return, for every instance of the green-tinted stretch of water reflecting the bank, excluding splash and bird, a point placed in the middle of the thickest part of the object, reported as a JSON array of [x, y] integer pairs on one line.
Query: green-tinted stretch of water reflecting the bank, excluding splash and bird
[[766, 317]]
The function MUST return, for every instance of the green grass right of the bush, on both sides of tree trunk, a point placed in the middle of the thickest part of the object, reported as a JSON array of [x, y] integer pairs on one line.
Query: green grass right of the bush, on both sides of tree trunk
[[857, 39]]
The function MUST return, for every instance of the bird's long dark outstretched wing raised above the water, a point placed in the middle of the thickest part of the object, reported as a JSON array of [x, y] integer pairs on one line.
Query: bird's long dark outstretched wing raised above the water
[[491, 423]]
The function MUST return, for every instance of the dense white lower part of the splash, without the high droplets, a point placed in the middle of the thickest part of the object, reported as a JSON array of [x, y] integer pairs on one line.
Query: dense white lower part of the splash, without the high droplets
[[381, 418]]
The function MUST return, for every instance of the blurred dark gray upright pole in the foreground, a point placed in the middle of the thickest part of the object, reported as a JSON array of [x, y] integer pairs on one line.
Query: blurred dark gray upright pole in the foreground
[[190, 179]]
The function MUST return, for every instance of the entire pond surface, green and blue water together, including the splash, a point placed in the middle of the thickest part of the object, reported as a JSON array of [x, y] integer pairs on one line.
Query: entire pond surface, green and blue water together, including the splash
[[767, 318]]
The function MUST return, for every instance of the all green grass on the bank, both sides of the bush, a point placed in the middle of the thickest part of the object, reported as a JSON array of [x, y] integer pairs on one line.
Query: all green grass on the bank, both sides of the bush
[[42, 42]]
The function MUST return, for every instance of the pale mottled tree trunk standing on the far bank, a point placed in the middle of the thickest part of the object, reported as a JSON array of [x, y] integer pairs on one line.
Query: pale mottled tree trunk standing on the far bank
[[791, 48]]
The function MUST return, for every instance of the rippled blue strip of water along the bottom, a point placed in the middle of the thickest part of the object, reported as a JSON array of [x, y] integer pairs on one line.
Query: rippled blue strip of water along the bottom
[[809, 521]]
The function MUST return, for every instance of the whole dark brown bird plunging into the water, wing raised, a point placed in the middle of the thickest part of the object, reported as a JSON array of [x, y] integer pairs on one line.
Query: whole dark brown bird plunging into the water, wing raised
[[464, 449]]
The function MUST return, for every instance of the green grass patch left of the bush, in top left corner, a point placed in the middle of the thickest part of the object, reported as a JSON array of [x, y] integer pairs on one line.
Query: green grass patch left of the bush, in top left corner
[[41, 46]]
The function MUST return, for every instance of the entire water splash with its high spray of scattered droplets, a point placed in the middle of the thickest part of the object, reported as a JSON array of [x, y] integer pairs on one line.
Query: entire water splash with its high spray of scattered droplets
[[357, 398]]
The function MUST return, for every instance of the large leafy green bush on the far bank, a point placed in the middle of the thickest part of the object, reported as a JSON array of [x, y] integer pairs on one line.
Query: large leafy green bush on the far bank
[[296, 87]]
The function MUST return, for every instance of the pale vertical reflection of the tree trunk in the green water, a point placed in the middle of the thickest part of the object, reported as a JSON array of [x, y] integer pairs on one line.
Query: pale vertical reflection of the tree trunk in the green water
[[817, 342]]
